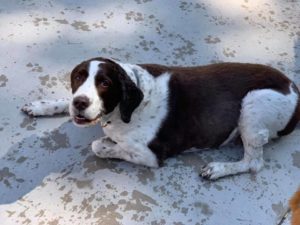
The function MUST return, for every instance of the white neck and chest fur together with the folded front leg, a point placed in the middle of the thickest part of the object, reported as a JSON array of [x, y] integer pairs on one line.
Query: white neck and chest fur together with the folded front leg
[[132, 138]]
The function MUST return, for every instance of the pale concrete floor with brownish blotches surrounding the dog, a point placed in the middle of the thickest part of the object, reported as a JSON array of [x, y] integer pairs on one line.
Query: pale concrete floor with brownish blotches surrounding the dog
[[48, 174]]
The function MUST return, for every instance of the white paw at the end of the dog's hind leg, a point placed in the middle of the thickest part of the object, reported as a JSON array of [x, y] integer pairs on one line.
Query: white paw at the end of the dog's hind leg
[[213, 171]]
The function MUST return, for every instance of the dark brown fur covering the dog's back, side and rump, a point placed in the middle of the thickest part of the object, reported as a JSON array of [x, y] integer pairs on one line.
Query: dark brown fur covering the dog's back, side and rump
[[201, 97]]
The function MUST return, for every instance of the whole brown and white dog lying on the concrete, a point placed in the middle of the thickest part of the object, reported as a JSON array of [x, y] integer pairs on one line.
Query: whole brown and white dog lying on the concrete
[[151, 112]]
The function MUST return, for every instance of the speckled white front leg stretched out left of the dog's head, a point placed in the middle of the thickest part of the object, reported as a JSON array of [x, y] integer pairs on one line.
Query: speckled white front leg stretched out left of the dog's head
[[46, 107]]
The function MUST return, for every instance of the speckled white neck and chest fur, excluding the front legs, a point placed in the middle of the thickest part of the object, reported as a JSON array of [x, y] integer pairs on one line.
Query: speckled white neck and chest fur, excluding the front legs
[[147, 118]]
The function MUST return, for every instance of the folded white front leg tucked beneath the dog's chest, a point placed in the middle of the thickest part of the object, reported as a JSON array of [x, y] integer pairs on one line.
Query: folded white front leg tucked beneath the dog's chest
[[131, 152]]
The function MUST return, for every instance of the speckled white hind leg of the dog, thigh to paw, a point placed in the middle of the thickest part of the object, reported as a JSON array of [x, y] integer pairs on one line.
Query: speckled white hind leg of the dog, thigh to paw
[[263, 114]]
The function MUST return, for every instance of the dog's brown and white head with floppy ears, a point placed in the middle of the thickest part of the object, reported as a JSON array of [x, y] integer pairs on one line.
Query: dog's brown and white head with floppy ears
[[99, 85]]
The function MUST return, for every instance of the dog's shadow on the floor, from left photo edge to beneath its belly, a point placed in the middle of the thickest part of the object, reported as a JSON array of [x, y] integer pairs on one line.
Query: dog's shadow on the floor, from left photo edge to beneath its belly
[[67, 150]]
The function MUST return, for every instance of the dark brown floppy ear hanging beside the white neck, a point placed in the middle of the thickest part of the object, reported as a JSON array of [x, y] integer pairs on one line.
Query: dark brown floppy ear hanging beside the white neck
[[131, 96]]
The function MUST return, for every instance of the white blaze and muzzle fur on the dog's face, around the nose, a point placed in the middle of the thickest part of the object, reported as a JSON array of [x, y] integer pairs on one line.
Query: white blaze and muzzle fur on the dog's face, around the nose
[[88, 89]]
